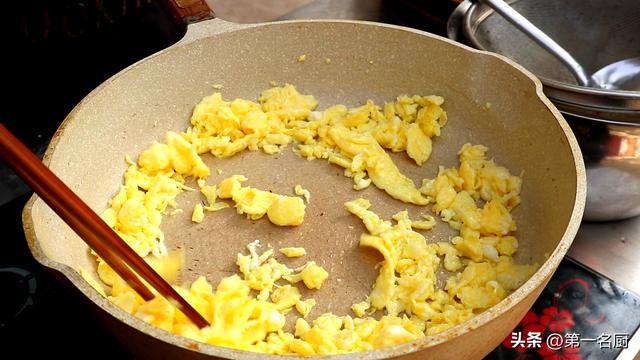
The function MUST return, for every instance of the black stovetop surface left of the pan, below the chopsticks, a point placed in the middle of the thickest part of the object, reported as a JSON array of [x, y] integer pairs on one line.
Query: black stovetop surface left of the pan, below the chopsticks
[[37, 312]]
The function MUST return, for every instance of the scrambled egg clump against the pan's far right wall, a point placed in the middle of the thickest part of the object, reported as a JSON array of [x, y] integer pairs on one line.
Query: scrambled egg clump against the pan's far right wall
[[484, 232]]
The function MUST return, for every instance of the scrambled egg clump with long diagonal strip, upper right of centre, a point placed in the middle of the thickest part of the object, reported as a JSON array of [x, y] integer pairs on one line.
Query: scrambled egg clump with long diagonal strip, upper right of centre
[[355, 139]]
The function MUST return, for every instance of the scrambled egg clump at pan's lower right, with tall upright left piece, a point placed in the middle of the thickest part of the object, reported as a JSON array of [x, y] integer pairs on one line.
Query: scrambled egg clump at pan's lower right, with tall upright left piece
[[407, 280]]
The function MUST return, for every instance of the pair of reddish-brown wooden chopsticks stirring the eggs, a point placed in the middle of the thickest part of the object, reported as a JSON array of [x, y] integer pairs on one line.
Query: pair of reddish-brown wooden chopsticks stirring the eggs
[[88, 225]]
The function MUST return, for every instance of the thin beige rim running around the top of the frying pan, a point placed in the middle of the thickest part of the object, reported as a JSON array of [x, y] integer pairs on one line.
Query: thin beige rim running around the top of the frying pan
[[537, 280]]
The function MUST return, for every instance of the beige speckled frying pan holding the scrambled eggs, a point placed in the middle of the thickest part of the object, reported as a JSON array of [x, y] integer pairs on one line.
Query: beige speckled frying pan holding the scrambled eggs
[[523, 130]]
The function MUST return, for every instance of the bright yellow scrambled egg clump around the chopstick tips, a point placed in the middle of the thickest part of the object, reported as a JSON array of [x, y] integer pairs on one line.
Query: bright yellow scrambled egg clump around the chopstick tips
[[237, 318]]
